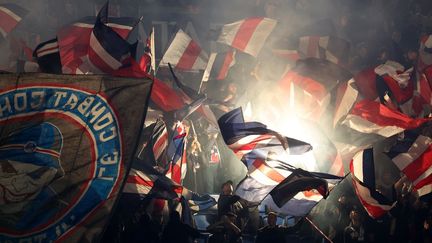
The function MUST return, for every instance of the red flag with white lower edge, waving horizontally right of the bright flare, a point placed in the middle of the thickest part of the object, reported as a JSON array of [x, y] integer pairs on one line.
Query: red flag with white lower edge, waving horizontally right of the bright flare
[[371, 117]]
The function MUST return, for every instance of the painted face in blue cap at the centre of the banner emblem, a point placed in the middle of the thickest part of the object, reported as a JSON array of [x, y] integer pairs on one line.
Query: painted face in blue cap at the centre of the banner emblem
[[29, 163]]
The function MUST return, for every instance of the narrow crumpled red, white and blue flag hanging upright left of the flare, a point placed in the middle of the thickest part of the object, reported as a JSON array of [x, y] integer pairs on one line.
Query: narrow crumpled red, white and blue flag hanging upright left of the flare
[[176, 154]]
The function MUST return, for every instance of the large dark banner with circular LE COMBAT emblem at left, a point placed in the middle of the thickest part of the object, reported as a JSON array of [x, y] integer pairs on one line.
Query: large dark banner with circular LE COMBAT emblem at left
[[65, 145]]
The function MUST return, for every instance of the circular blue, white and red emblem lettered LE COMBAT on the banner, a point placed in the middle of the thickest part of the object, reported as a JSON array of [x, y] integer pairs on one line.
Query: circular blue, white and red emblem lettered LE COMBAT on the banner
[[60, 159]]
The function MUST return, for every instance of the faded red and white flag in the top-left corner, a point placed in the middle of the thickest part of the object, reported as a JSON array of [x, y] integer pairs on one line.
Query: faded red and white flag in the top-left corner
[[10, 16]]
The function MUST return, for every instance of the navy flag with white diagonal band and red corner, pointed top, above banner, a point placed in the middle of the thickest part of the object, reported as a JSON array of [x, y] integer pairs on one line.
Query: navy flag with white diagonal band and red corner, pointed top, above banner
[[108, 51]]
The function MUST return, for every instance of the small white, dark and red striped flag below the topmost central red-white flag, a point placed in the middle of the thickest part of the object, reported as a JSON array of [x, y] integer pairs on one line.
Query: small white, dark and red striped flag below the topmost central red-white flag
[[219, 65]]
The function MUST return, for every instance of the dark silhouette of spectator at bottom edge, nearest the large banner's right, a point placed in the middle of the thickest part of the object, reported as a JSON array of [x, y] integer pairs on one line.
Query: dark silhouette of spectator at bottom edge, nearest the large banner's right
[[177, 231]]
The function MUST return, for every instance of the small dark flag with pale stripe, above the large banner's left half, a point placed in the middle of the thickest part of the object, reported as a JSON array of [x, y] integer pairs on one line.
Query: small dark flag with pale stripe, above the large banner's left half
[[48, 57]]
